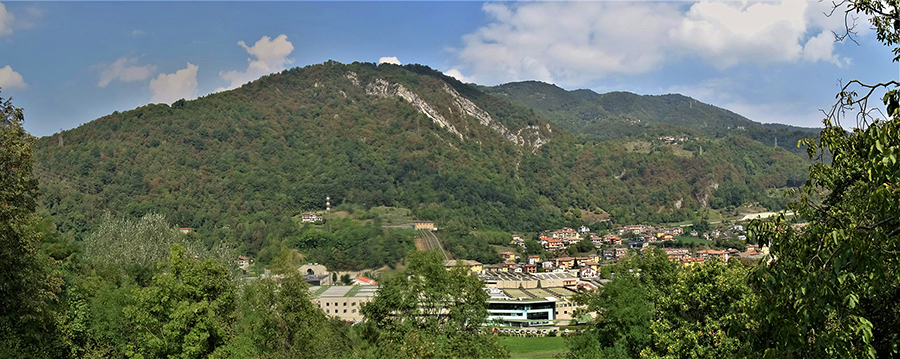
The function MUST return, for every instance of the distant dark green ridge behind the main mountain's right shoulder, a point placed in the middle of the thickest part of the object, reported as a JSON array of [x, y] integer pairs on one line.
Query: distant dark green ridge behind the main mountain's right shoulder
[[617, 114]]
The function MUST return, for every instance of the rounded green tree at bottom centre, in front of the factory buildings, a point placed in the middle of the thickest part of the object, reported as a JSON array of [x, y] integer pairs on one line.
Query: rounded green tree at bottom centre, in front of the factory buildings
[[429, 312]]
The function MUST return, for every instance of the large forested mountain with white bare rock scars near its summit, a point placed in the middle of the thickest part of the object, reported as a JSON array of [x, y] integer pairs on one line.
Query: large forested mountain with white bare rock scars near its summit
[[238, 165]]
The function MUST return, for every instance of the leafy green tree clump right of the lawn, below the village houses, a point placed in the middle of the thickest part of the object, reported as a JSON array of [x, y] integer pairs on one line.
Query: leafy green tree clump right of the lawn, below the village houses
[[655, 308]]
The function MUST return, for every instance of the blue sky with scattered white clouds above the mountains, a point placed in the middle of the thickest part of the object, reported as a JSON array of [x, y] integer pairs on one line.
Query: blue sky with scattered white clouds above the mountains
[[67, 63]]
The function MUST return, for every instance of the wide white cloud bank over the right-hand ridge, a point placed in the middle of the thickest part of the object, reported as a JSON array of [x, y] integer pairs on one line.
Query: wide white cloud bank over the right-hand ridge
[[576, 43]]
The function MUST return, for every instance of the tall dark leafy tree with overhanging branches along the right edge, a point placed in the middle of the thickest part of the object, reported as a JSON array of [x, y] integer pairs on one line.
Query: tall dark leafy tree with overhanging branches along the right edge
[[831, 288]]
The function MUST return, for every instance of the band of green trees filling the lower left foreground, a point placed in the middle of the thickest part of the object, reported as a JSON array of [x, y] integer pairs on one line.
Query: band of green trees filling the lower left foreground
[[111, 298]]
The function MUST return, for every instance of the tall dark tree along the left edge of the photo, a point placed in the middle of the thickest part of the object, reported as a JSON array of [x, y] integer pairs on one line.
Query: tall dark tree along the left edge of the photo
[[26, 324]]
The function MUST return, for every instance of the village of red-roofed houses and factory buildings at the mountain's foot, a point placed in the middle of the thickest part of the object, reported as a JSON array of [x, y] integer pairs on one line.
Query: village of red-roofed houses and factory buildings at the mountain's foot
[[534, 292]]
